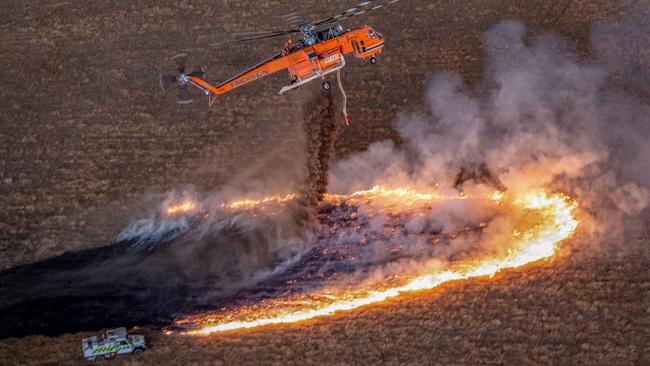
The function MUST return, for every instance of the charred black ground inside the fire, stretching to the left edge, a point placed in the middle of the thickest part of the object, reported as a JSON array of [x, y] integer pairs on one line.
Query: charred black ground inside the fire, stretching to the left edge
[[146, 282]]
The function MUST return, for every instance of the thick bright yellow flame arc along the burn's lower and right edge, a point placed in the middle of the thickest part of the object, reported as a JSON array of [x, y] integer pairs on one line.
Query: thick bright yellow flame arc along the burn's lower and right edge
[[540, 242]]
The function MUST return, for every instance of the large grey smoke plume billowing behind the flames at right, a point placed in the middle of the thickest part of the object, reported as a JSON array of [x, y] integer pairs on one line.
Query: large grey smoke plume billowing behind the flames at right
[[542, 117]]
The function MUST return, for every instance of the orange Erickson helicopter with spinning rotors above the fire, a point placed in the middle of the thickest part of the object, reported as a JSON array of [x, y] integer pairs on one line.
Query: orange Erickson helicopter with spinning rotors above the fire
[[322, 50]]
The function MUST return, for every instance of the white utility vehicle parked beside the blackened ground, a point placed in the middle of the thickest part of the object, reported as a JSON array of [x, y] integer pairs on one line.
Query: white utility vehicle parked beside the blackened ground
[[114, 342]]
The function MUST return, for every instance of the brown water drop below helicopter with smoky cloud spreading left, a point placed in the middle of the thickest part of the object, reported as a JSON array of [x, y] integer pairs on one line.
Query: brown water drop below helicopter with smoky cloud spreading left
[[250, 245]]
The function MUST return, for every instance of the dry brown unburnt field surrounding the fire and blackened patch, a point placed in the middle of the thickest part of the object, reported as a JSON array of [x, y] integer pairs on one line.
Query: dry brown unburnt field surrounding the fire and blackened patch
[[86, 134]]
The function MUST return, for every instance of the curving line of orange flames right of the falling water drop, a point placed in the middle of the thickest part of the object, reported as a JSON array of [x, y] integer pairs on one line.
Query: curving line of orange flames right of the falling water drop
[[548, 220]]
